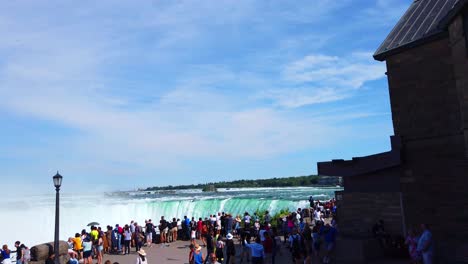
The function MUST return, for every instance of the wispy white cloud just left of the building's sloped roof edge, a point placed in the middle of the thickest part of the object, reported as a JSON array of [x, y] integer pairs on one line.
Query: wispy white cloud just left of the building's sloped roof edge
[[318, 78]]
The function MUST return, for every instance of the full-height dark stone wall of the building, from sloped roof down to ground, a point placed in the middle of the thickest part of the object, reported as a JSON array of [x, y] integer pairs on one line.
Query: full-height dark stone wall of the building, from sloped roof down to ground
[[429, 98]]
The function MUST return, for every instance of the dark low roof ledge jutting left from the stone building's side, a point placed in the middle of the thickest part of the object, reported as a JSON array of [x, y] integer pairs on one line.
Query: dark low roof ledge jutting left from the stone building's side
[[363, 165]]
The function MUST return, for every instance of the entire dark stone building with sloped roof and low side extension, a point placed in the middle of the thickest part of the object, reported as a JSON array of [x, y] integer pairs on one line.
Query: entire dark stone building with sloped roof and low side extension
[[424, 178]]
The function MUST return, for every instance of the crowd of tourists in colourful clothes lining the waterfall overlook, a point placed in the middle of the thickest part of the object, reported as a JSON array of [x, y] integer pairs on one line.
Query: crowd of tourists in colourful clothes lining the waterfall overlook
[[304, 232]]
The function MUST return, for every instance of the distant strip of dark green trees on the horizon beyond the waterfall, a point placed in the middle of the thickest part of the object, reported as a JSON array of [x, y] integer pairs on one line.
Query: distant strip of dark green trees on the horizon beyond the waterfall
[[274, 182]]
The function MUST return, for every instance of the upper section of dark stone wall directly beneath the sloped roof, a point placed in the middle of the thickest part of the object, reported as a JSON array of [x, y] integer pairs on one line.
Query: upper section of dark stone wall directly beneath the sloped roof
[[422, 92]]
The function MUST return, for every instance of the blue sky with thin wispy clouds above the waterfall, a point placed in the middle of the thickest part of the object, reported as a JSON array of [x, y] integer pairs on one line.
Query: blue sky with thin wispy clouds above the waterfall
[[118, 95]]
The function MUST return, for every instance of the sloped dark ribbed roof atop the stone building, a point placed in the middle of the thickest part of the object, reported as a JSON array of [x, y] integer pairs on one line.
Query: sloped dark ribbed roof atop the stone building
[[420, 23]]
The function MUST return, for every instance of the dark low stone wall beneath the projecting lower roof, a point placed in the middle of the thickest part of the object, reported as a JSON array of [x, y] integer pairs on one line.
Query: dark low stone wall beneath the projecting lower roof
[[358, 212]]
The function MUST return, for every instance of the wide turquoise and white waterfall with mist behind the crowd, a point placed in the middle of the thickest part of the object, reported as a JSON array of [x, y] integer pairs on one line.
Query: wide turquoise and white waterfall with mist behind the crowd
[[32, 219]]
